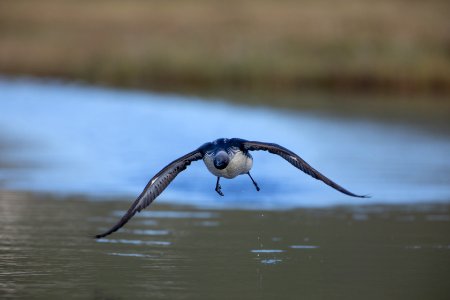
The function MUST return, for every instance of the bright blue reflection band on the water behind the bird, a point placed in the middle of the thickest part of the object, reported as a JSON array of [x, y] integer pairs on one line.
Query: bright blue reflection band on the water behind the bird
[[106, 143]]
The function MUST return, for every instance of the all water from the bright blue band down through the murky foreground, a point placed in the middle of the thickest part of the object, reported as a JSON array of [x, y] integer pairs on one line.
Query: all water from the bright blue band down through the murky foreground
[[72, 158]]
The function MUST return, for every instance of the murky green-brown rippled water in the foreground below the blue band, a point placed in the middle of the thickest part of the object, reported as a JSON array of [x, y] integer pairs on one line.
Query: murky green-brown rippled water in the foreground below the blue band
[[175, 252]]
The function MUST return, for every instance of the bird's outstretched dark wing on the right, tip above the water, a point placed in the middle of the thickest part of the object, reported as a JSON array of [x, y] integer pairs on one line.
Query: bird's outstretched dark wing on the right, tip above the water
[[296, 161]]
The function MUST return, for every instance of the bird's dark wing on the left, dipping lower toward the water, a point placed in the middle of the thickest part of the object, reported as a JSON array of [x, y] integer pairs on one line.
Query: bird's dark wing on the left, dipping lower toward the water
[[155, 187]]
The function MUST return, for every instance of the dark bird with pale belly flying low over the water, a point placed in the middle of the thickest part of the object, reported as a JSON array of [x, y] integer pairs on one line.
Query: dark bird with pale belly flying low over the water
[[224, 157]]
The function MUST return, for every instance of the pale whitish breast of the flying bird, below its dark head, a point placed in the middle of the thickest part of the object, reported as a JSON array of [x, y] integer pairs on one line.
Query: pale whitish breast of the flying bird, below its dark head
[[239, 164]]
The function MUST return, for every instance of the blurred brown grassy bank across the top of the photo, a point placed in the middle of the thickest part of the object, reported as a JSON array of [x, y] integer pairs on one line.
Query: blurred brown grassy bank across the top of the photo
[[350, 44]]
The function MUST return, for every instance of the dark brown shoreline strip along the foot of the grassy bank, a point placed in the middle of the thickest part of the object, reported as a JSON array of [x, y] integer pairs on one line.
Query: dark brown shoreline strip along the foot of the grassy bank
[[351, 83]]
